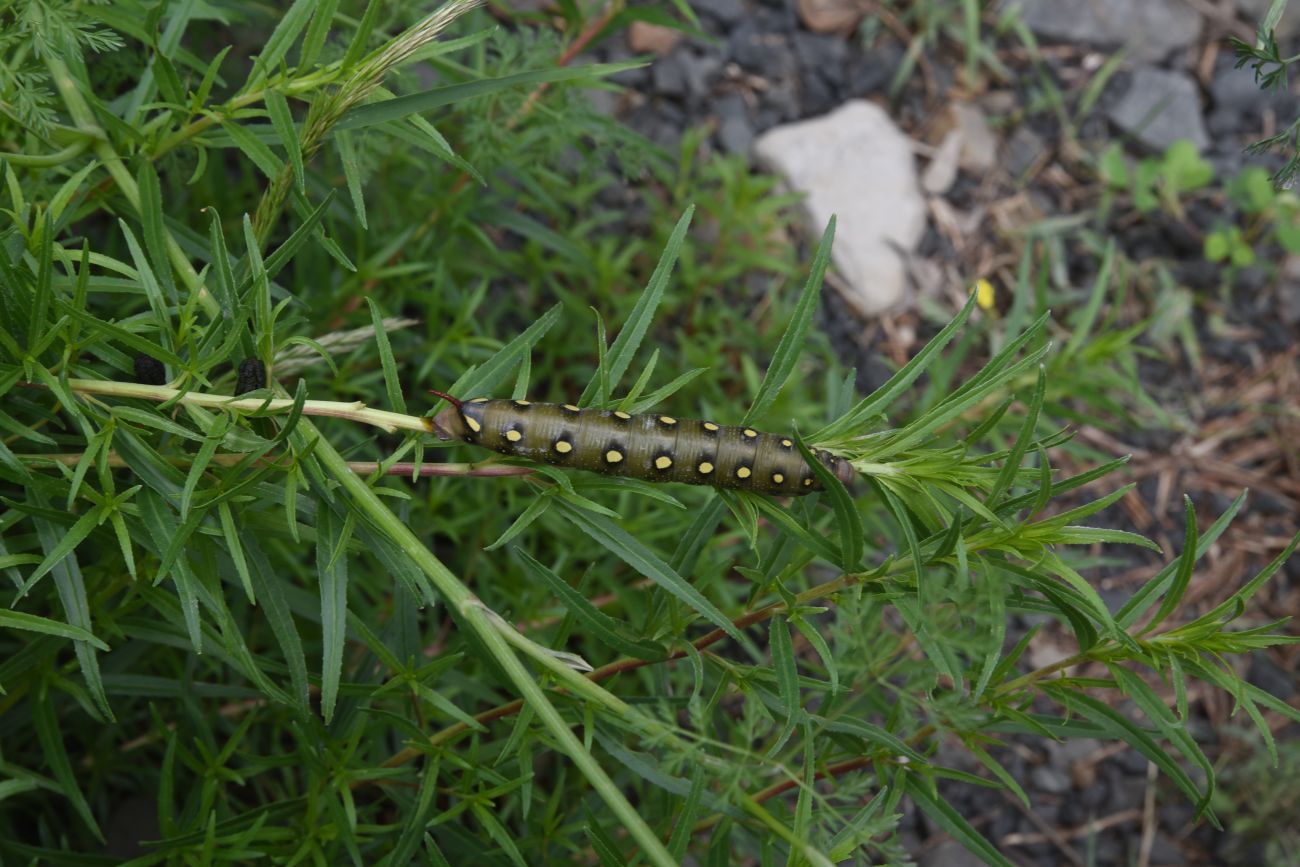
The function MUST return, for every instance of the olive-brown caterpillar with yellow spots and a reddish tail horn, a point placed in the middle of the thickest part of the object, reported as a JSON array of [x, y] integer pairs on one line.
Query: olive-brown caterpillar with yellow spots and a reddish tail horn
[[651, 446]]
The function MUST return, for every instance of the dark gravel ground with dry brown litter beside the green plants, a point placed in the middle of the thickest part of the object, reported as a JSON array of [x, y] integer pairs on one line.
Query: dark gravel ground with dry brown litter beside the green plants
[[762, 67]]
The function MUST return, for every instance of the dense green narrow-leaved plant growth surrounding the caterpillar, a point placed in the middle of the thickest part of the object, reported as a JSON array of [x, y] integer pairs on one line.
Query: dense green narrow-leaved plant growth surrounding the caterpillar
[[262, 617]]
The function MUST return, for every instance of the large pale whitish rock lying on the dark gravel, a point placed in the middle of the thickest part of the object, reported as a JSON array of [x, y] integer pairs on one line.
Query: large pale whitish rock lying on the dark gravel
[[856, 164]]
